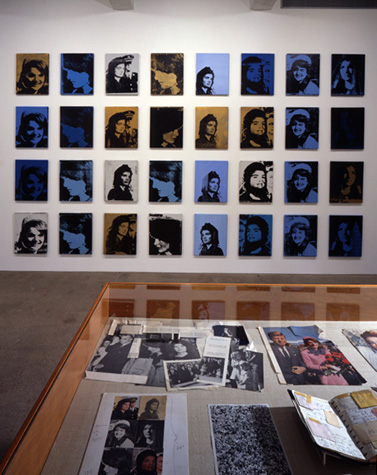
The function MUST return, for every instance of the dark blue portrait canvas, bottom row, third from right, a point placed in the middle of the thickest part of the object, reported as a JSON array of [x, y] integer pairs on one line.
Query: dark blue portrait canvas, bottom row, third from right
[[255, 235]]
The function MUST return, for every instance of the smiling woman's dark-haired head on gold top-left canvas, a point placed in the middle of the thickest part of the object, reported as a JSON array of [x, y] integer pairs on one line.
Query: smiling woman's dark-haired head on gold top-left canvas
[[33, 78]]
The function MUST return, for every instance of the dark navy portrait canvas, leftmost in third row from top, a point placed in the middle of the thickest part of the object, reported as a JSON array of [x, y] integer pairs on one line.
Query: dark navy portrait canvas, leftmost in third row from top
[[31, 180]]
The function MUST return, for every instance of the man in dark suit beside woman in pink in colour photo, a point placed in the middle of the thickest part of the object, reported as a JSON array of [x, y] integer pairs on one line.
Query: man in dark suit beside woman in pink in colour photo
[[289, 359]]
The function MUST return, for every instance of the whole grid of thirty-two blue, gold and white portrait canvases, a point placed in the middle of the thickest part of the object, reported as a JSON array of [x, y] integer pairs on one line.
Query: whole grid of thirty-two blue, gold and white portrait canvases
[[211, 176]]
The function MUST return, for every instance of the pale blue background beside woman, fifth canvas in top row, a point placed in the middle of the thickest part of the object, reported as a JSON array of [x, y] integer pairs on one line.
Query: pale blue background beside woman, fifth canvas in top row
[[219, 63]]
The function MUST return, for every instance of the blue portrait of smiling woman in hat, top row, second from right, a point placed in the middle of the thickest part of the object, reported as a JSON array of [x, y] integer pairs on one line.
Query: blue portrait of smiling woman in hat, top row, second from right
[[302, 75]]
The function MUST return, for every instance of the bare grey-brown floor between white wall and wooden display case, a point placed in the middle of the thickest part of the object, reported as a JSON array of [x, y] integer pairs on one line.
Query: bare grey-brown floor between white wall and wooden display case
[[42, 311]]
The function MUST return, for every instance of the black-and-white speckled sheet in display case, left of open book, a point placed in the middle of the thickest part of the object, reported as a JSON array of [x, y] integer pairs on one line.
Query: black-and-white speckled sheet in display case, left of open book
[[245, 440]]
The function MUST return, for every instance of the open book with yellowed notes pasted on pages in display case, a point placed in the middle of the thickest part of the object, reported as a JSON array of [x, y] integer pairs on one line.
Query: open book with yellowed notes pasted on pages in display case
[[344, 426]]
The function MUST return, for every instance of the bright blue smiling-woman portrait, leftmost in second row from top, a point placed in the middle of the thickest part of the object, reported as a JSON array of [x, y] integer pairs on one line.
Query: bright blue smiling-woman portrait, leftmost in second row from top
[[31, 127]]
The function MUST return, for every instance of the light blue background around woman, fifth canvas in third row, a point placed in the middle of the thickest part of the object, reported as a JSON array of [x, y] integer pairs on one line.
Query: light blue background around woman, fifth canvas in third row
[[202, 169]]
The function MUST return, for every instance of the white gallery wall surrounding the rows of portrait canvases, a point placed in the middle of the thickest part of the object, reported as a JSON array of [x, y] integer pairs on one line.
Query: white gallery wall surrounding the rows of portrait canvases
[[189, 27]]
